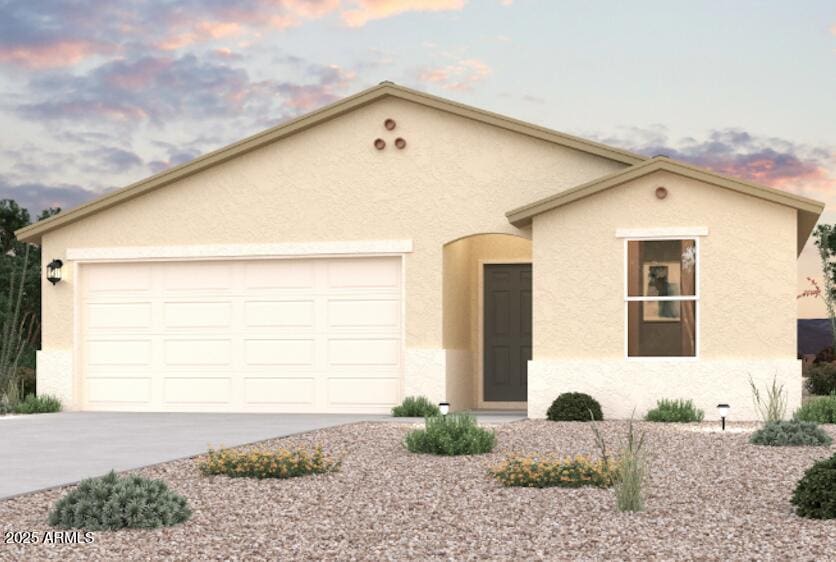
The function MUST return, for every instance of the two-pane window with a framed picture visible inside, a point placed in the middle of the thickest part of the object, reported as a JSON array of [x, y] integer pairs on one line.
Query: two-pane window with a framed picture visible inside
[[662, 298]]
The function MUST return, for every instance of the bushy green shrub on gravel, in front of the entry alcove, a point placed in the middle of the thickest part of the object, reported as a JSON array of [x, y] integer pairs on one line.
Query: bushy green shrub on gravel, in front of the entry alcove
[[455, 434]]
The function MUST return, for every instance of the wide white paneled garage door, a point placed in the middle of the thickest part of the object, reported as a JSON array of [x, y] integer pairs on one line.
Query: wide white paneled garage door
[[294, 335]]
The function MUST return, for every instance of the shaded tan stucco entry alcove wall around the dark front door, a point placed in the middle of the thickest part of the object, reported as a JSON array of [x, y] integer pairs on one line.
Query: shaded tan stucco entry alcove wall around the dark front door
[[463, 265]]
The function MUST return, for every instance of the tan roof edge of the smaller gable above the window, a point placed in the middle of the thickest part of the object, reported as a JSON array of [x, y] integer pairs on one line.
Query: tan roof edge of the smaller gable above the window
[[808, 209]]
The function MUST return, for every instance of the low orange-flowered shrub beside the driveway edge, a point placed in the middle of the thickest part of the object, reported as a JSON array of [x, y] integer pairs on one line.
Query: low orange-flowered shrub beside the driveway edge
[[278, 463]]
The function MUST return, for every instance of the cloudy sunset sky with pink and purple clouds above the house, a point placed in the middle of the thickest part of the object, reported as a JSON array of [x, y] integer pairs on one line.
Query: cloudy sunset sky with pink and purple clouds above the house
[[97, 94]]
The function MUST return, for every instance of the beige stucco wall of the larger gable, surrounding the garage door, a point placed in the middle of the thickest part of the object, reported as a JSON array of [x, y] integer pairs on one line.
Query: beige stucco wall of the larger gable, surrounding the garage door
[[456, 177]]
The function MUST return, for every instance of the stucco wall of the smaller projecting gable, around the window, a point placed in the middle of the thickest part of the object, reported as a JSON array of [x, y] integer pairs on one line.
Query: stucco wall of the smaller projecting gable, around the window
[[747, 308]]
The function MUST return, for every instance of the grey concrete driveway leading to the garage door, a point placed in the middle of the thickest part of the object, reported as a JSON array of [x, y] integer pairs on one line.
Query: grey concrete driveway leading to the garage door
[[47, 450]]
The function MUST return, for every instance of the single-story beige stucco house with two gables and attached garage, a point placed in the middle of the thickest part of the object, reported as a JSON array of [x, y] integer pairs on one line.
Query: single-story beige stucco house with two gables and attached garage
[[395, 243]]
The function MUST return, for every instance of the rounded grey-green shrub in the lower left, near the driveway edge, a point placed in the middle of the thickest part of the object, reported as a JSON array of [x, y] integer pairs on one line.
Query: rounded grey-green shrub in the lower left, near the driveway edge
[[115, 502]]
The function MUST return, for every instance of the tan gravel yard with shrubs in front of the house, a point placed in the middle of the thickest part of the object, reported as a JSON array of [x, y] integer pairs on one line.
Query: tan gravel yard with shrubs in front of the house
[[711, 496]]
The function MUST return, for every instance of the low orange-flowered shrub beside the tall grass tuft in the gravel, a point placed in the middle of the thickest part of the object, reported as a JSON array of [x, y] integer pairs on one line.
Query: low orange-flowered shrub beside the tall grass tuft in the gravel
[[544, 472]]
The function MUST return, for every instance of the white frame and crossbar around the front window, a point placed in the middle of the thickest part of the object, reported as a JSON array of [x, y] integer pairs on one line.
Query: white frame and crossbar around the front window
[[695, 298]]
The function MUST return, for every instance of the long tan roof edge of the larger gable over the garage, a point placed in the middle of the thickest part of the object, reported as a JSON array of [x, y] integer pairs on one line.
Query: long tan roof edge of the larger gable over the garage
[[33, 232]]
